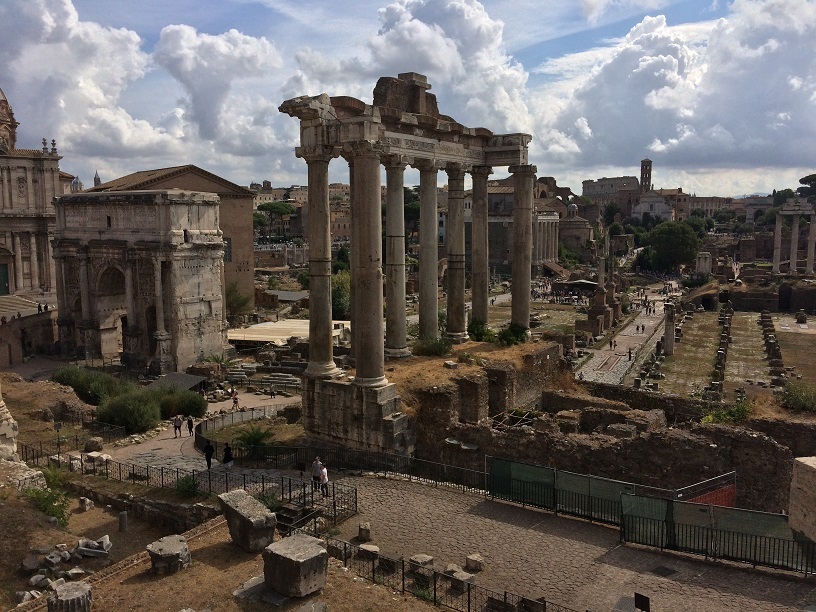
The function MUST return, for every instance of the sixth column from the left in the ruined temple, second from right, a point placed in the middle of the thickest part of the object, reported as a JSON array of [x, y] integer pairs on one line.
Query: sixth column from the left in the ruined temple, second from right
[[478, 243]]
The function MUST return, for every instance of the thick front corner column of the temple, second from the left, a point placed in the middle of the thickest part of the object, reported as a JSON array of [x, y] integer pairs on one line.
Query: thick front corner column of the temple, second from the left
[[368, 298]]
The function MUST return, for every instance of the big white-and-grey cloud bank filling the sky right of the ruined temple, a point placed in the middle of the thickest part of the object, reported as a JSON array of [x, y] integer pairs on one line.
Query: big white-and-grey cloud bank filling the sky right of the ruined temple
[[742, 96]]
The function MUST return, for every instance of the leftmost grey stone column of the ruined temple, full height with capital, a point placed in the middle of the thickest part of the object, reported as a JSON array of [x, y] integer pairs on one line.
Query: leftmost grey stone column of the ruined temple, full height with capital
[[318, 232]]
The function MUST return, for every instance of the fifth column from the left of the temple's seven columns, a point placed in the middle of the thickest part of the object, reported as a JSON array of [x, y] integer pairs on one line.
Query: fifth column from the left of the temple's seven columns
[[457, 321]]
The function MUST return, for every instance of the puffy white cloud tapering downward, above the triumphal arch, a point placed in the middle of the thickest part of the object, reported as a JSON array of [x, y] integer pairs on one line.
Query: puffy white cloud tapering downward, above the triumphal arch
[[207, 65]]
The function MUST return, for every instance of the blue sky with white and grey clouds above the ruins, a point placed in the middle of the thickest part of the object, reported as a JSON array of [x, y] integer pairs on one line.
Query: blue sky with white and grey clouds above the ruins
[[721, 96]]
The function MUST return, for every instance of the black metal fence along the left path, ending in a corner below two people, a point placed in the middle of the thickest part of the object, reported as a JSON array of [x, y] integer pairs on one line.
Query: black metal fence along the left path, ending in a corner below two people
[[319, 512]]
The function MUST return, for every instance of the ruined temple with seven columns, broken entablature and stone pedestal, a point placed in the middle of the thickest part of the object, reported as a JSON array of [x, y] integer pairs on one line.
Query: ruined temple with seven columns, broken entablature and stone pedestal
[[403, 127]]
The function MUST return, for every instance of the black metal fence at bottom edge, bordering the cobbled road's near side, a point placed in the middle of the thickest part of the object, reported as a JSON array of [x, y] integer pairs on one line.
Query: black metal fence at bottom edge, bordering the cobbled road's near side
[[434, 587]]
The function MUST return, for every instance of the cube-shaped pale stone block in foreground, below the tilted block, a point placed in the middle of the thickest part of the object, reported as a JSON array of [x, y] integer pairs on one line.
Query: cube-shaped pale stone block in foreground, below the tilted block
[[295, 566]]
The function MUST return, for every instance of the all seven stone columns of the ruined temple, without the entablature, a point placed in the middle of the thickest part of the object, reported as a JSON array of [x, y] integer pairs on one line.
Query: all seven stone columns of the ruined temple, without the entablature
[[370, 342]]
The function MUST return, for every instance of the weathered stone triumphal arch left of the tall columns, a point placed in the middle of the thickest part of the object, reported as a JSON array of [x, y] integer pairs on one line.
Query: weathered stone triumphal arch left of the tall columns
[[139, 277]]
